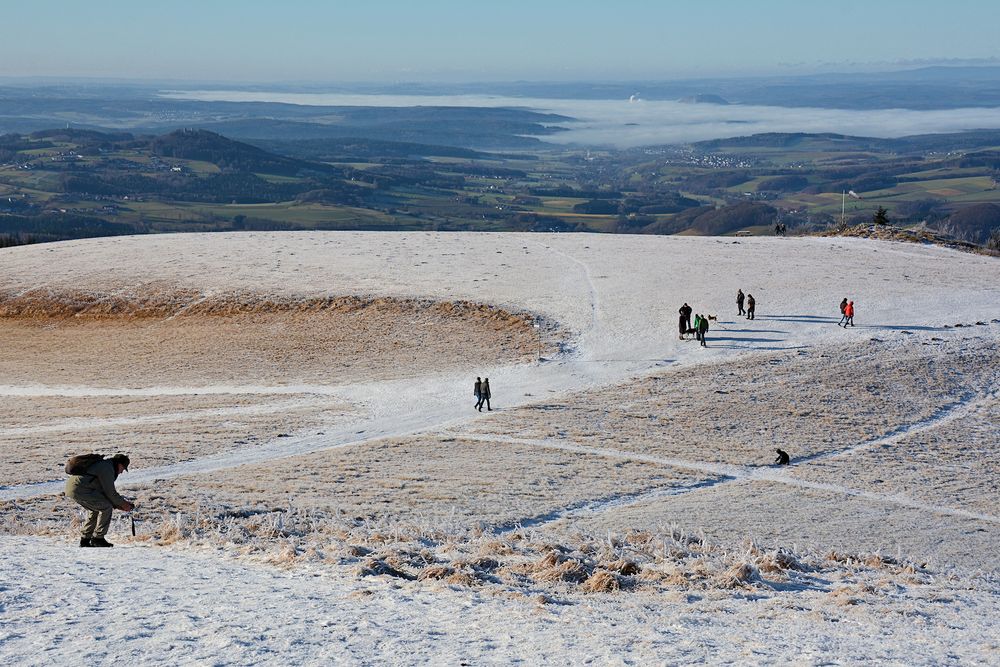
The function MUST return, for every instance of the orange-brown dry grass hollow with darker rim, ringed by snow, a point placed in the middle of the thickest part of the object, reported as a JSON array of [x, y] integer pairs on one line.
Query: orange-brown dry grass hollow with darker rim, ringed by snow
[[180, 337]]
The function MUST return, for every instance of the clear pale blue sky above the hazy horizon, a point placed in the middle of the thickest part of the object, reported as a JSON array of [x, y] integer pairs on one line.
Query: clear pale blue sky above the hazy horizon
[[446, 40]]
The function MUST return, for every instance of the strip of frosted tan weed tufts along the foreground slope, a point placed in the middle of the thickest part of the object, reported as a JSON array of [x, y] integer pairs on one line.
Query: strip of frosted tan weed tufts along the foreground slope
[[526, 564]]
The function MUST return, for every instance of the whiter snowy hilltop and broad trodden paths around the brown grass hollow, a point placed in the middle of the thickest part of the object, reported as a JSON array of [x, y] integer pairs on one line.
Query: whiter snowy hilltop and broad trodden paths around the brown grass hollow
[[618, 296]]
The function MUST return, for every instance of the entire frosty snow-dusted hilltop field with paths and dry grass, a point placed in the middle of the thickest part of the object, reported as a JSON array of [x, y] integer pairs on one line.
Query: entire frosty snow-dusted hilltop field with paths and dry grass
[[314, 485]]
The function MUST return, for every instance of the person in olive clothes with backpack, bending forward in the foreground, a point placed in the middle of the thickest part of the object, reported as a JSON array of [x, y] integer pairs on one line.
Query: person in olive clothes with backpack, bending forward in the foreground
[[91, 485]]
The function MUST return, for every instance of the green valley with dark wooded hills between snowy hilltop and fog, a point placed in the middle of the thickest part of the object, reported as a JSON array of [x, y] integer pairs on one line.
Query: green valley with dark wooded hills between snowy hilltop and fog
[[76, 182]]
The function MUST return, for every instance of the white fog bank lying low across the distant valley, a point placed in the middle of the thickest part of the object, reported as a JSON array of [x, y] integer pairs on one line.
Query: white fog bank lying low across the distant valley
[[625, 123]]
